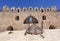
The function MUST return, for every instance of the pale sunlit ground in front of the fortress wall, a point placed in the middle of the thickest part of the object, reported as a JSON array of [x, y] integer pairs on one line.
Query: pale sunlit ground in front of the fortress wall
[[50, 35]]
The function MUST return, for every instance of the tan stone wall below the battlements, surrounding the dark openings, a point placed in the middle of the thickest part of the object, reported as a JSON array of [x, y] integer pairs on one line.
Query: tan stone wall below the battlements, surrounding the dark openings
[[7, 18]]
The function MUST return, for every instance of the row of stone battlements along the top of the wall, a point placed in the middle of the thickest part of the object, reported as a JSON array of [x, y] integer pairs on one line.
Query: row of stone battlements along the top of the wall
[[6, 8]]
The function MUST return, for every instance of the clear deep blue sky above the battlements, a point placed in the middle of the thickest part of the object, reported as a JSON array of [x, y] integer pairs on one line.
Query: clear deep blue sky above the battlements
[[32, 3]]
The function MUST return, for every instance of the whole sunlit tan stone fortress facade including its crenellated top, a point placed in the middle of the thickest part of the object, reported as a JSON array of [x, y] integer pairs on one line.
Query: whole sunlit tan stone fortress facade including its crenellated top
[[15, 17]]
